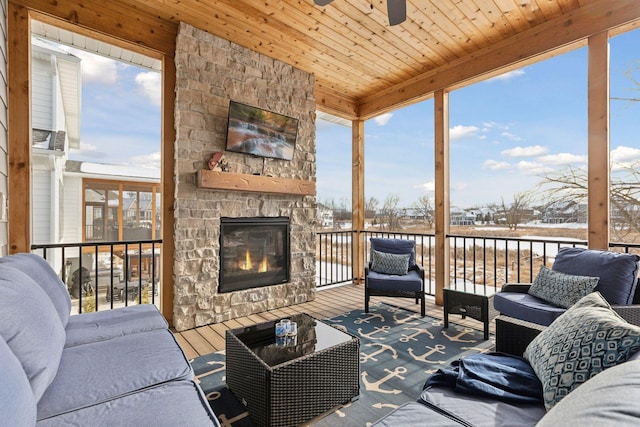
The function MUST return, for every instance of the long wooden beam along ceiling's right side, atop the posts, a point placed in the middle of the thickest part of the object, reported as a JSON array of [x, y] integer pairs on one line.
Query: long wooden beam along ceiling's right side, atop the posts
[[592, 18]]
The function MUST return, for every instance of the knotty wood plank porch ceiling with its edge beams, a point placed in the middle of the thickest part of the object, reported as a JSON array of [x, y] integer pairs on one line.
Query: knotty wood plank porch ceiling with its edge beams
[[362, 65]]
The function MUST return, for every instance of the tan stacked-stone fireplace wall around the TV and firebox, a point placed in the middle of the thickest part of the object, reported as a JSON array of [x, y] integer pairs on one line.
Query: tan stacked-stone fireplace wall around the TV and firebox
[[210, 72]]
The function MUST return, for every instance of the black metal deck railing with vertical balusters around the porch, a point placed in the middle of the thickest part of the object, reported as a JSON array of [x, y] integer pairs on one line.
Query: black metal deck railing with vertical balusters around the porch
[[479, 264]]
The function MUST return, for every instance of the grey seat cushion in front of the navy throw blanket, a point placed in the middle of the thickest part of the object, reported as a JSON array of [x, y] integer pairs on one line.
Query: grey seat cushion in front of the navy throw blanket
[[478, 411]]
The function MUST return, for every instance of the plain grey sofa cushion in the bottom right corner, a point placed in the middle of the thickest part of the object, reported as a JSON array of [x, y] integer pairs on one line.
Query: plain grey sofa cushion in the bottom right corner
[[610, 399]]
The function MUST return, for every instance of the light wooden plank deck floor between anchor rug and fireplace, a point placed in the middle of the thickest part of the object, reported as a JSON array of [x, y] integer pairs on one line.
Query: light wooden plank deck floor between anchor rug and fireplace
[[328, 303]]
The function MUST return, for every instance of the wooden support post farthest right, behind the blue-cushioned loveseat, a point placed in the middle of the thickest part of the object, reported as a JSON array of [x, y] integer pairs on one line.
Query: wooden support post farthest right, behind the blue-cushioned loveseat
[[598, 150]]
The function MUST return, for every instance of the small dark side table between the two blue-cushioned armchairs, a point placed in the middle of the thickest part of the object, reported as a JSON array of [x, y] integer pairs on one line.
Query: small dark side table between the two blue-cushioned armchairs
[[476, 306]]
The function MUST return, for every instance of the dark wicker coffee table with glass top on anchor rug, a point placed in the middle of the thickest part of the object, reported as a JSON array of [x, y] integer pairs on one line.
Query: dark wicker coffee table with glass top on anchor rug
[[287, 382]]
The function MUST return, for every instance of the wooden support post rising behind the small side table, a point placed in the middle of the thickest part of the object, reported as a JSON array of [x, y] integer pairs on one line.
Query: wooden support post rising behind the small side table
[[442, 202]]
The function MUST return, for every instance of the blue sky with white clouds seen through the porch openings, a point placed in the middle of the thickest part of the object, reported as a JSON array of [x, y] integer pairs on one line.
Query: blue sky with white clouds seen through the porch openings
[[505, 132]]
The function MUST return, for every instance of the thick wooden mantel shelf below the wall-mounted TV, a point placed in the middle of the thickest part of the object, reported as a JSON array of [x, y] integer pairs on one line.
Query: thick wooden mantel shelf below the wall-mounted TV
[[215, 180]]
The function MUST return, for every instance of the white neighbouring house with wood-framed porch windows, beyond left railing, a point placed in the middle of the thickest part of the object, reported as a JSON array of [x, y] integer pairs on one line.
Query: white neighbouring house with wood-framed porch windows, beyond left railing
[[74, 201]]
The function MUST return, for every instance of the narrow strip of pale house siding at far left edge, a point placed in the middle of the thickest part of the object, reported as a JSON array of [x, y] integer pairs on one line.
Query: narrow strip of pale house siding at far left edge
[[4, 224]]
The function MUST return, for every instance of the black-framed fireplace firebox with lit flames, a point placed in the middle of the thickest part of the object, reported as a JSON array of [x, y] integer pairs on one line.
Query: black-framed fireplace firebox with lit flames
[[254, 252]]
